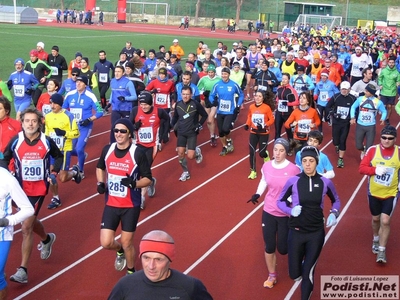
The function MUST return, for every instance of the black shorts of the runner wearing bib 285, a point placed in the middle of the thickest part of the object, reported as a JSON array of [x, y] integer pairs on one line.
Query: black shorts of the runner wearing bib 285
[[128, 217]]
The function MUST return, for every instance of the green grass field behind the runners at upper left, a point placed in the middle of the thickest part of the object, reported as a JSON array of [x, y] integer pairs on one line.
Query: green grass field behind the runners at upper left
[[18, 40]]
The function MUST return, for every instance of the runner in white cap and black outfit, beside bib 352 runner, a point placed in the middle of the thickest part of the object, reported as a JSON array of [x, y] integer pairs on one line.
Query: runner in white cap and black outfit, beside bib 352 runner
[[339, 116]]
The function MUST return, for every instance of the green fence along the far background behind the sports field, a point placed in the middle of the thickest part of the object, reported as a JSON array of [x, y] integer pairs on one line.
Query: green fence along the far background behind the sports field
[[224, 9]]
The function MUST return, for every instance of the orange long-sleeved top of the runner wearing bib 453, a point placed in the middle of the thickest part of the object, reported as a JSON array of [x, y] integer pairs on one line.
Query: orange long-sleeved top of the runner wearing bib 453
[[261, 114]]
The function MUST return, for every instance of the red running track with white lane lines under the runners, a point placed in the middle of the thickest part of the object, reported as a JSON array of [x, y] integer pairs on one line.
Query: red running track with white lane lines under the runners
[[217, 234]]
